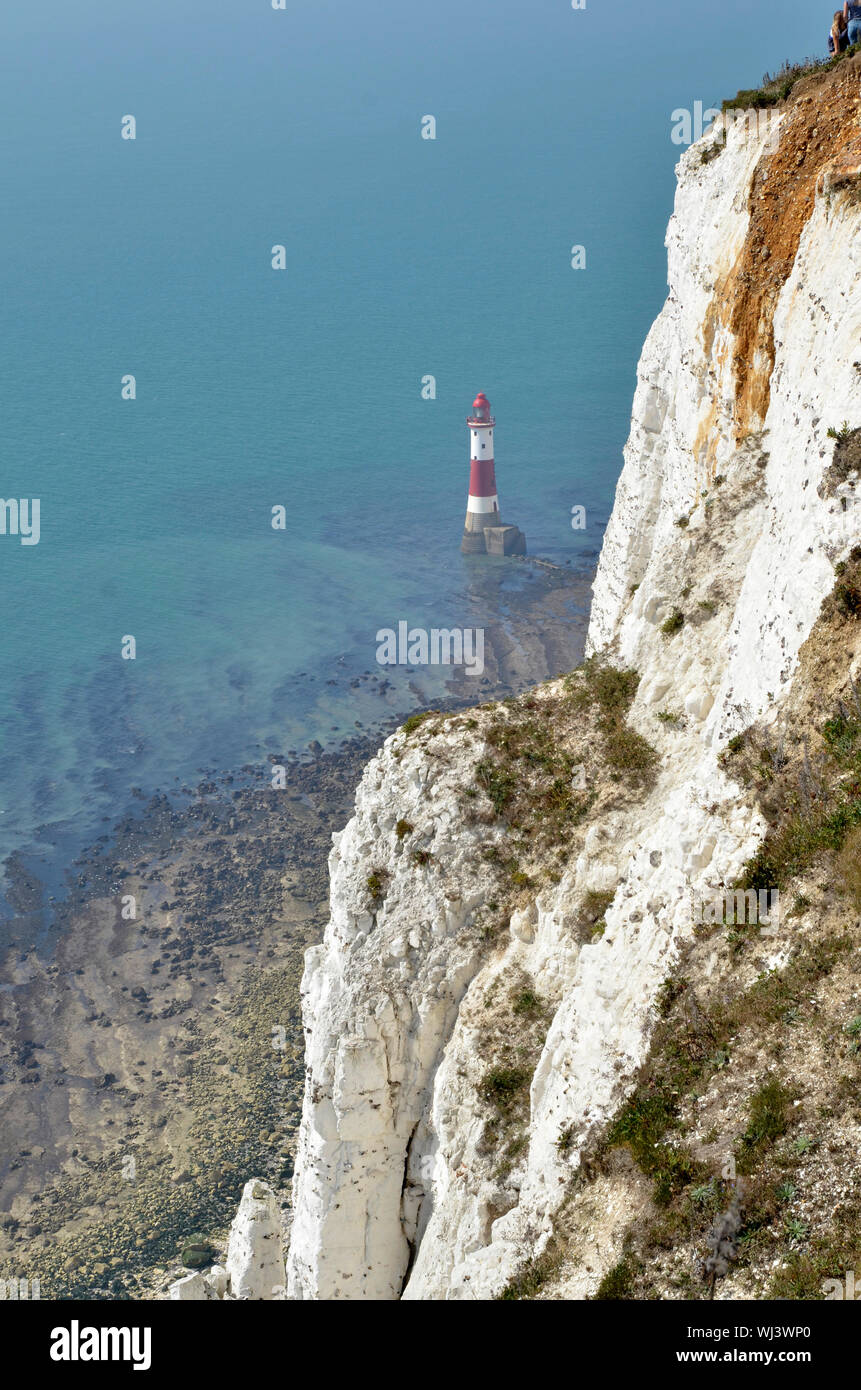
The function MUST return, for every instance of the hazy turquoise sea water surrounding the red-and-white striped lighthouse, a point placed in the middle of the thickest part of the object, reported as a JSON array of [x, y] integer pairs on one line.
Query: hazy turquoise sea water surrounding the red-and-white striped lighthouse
[[303, 389]]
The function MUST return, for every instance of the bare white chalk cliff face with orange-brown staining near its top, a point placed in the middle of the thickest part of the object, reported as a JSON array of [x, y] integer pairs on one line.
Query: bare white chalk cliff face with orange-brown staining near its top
[[724, 526]]
